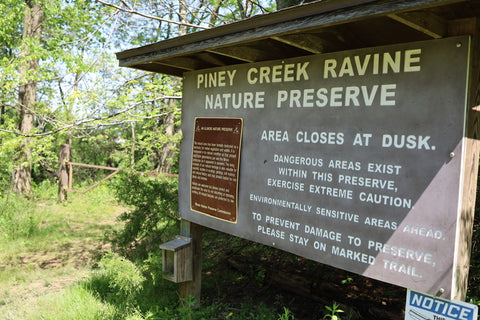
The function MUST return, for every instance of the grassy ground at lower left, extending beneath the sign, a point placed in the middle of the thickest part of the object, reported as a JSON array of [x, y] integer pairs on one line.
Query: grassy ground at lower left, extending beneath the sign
[[55, 265]]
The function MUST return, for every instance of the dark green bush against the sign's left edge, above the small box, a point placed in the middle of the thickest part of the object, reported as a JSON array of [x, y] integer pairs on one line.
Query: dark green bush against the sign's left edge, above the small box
[[153, 217]]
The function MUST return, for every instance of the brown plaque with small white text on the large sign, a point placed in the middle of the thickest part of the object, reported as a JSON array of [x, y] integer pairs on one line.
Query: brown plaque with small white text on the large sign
[[215, 162]]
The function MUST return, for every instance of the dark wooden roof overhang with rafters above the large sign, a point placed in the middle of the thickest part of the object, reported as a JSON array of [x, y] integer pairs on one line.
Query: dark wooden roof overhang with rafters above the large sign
[[318, 27]]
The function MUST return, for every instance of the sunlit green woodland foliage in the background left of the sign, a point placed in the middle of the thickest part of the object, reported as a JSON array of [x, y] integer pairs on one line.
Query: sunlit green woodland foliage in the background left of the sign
[[82, 94]]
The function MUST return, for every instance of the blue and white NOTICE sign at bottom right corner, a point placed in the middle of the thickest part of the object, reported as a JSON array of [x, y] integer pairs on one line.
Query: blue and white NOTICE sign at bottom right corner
[[421, 306]]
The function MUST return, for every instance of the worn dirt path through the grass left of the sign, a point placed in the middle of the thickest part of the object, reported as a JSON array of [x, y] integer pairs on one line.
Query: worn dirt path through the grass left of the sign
[[49, 263]]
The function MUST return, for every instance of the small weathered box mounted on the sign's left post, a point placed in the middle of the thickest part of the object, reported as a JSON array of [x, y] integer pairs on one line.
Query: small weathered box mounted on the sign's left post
[[177, 259]]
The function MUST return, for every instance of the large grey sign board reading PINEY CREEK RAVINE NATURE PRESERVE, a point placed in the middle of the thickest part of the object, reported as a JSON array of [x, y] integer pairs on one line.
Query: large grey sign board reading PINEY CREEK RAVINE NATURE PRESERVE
[[352, 159]]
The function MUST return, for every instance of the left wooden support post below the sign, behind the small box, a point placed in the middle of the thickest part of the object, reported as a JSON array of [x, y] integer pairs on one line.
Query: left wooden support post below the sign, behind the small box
[[193, 288]]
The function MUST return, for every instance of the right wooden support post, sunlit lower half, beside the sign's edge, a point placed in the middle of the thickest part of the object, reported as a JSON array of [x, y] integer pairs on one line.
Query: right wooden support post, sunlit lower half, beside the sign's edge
[[471, 27]]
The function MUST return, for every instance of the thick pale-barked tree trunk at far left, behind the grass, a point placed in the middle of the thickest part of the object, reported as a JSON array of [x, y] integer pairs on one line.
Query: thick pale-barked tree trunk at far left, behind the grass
[[32, 29]]
